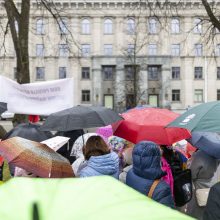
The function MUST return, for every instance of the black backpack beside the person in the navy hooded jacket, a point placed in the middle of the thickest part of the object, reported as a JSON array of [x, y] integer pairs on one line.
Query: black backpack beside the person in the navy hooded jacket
[[182, 179]]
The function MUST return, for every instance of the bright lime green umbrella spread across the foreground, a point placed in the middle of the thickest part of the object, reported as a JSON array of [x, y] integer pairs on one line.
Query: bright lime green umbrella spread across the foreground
[[93, 198]]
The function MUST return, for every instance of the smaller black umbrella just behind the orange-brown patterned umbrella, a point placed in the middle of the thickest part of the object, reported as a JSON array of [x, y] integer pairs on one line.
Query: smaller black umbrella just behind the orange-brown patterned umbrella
[[29, 131]]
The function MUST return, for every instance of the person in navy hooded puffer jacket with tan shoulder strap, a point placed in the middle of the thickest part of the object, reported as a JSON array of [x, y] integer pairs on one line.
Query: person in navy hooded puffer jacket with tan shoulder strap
[[146, 170]]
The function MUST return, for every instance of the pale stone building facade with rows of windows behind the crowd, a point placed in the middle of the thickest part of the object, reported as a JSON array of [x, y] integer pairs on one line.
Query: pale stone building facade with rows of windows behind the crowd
[[117, 51]]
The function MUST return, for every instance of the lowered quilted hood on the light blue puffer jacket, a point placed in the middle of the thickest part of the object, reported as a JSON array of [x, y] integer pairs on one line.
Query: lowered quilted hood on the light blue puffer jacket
[[107, 164]]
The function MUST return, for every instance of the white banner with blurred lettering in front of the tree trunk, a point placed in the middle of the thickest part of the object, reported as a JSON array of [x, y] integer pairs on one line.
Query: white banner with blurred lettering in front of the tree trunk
[[41, 98]]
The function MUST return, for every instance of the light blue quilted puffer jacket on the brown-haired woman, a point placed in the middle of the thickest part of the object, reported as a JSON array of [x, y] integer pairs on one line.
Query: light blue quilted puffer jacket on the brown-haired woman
[[107, 164]]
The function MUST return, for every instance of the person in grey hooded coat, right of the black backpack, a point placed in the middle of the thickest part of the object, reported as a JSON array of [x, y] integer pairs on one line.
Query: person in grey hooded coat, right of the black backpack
[[203, 168]]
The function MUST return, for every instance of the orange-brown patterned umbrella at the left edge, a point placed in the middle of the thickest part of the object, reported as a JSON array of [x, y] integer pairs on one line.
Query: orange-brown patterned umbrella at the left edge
[[35, 157]]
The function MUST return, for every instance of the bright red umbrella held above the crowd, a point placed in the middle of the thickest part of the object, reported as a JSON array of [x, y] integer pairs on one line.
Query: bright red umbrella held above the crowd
[[149, 124]]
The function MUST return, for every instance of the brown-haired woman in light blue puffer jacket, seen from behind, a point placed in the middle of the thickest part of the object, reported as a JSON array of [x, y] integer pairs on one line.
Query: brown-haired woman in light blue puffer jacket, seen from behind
[[99, 159]]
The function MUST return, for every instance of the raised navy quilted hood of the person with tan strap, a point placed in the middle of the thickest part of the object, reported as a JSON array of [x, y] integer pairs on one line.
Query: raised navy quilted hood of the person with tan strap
[[147, 160]]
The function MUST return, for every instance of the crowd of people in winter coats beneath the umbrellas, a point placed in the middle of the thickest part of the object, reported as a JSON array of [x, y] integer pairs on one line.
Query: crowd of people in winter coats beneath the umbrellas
[[155, 171]]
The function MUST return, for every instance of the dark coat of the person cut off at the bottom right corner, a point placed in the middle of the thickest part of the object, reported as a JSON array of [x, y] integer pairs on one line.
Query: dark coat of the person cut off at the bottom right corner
[[212, 210]]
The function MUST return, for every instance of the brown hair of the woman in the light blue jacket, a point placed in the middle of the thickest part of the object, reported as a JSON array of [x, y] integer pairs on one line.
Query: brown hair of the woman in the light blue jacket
[[95, 146]]
